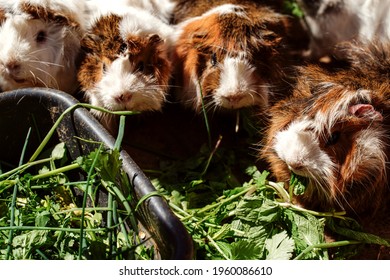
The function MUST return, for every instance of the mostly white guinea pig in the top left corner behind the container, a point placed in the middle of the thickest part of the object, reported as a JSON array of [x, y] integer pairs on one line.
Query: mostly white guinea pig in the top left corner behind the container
[[40, 43]]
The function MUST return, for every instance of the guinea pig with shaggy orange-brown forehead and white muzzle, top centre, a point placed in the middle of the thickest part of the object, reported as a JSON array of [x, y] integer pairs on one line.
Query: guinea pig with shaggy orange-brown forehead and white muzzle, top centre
[[230, 57]]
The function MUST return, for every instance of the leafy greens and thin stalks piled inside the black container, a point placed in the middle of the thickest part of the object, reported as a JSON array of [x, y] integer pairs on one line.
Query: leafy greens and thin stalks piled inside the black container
[[49, 206]]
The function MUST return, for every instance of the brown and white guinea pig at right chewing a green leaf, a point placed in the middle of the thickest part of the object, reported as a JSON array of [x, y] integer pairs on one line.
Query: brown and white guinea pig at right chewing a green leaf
[[334, 131]]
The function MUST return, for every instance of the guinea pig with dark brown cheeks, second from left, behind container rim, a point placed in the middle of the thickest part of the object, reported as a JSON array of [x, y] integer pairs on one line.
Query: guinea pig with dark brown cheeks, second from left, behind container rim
[[126, 64]]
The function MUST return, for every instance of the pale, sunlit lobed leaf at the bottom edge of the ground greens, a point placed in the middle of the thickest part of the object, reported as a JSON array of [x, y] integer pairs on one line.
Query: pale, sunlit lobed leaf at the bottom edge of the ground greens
[[279, 247]]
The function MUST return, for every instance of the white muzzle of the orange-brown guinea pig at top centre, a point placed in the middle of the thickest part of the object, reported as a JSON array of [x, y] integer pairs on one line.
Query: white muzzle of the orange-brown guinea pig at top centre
[[237, 88]]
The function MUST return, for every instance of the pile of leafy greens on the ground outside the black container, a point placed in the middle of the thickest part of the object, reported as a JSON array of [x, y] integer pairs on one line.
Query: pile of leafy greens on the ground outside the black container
[[233, 211]]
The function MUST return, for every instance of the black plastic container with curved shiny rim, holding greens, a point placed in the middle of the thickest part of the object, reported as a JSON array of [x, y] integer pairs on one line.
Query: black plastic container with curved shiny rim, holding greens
[[37, 107]]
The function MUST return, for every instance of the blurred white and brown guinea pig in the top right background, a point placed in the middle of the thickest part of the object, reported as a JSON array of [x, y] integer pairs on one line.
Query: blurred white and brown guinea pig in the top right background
[[333, 21]]
